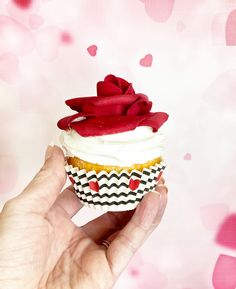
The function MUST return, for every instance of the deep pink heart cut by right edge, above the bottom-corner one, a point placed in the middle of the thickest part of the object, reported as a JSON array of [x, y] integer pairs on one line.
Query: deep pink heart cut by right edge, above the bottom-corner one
[[227, 233]]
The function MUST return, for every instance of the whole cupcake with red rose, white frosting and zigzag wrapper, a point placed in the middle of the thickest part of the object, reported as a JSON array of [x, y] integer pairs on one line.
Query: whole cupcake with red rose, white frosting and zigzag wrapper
[[113, 146]]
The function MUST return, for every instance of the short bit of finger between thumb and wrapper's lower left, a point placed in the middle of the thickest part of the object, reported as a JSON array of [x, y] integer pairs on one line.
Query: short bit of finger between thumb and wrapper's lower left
[[68, 201]]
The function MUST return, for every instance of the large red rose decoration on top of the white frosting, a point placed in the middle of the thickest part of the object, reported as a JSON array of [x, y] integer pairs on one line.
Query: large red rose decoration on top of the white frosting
[[116, 108]]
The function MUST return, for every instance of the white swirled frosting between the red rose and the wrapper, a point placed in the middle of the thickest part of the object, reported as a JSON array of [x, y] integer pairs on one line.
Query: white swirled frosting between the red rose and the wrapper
[[122, 149]]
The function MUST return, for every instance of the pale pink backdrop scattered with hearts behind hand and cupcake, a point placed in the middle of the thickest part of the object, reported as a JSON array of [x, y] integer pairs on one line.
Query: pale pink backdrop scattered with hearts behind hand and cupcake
[[182, 54]]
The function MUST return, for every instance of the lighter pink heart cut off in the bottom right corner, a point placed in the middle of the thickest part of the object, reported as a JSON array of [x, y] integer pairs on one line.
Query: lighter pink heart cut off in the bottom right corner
[[224, 275]]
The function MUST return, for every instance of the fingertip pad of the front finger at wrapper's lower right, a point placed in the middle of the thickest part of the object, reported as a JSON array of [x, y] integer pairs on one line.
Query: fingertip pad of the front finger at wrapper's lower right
[[147, 210]]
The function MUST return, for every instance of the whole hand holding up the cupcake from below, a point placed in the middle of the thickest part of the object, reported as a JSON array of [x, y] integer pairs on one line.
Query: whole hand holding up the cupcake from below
[[40, 247]]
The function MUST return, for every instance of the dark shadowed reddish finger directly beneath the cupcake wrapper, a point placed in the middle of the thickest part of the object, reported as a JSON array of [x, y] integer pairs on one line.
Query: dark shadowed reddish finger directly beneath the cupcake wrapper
[[102, 227]]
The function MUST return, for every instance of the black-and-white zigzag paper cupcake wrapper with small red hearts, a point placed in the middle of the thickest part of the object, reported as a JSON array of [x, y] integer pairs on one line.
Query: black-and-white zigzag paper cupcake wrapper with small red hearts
[[114, 191]]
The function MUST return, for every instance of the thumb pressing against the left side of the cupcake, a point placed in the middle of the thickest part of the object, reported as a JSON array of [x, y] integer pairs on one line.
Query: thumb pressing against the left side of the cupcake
[[45, 187]]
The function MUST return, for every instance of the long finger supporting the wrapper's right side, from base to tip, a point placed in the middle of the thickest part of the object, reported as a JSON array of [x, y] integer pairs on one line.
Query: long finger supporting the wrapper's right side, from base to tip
[[146, 217]]
